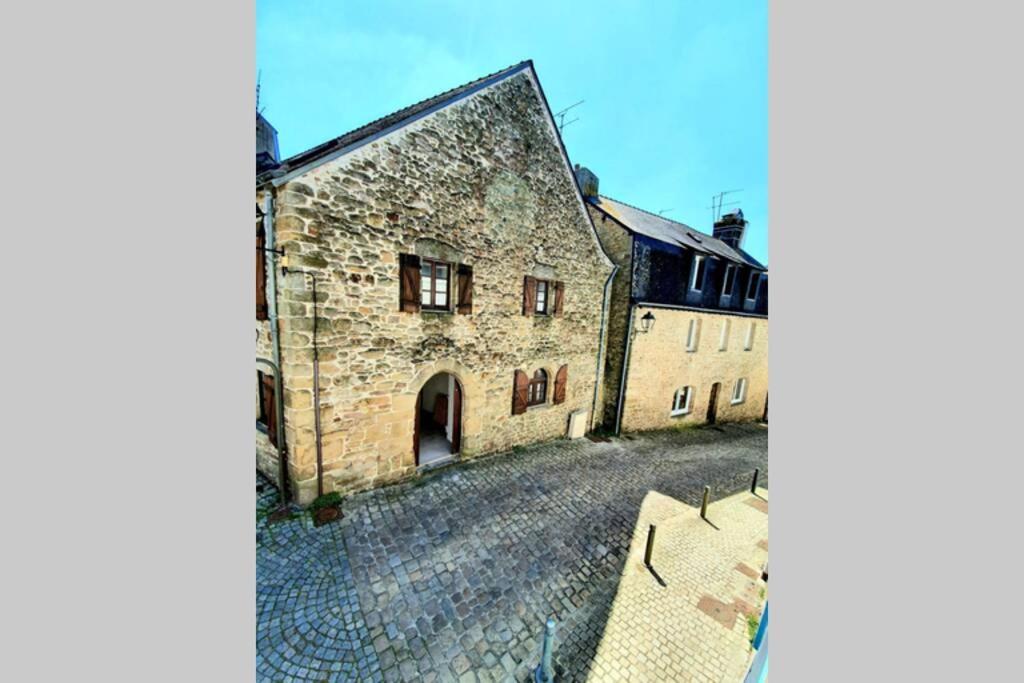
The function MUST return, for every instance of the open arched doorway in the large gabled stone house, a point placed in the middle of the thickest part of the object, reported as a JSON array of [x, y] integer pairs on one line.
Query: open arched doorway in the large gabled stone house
[[438, 436]]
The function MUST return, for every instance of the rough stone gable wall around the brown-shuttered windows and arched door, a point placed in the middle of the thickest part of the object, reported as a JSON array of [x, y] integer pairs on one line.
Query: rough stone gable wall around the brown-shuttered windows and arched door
[[483, 183]]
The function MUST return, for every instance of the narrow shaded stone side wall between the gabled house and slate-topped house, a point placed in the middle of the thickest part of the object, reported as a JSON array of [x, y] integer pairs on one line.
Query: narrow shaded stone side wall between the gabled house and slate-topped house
[[618, 242]]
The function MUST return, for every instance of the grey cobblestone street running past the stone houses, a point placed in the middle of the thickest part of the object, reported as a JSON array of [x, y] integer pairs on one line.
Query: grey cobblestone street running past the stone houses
[[451, 577]]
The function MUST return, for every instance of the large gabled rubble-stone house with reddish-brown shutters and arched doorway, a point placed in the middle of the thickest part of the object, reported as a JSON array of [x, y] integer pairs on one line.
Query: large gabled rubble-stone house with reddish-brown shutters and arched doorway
[[460, 290]]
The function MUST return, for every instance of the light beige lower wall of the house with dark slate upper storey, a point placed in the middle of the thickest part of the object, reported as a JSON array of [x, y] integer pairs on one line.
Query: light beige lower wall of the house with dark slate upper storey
[[660, 364]]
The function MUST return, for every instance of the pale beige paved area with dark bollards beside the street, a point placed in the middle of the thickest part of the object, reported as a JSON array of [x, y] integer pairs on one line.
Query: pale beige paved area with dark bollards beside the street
[[694, 627]]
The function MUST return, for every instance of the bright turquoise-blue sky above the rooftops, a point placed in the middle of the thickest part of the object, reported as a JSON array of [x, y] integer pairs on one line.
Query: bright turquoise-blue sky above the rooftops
[[675, 93]]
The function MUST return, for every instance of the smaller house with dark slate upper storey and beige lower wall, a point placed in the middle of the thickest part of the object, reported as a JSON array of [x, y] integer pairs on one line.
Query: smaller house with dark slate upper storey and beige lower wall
[[702, 354]]
